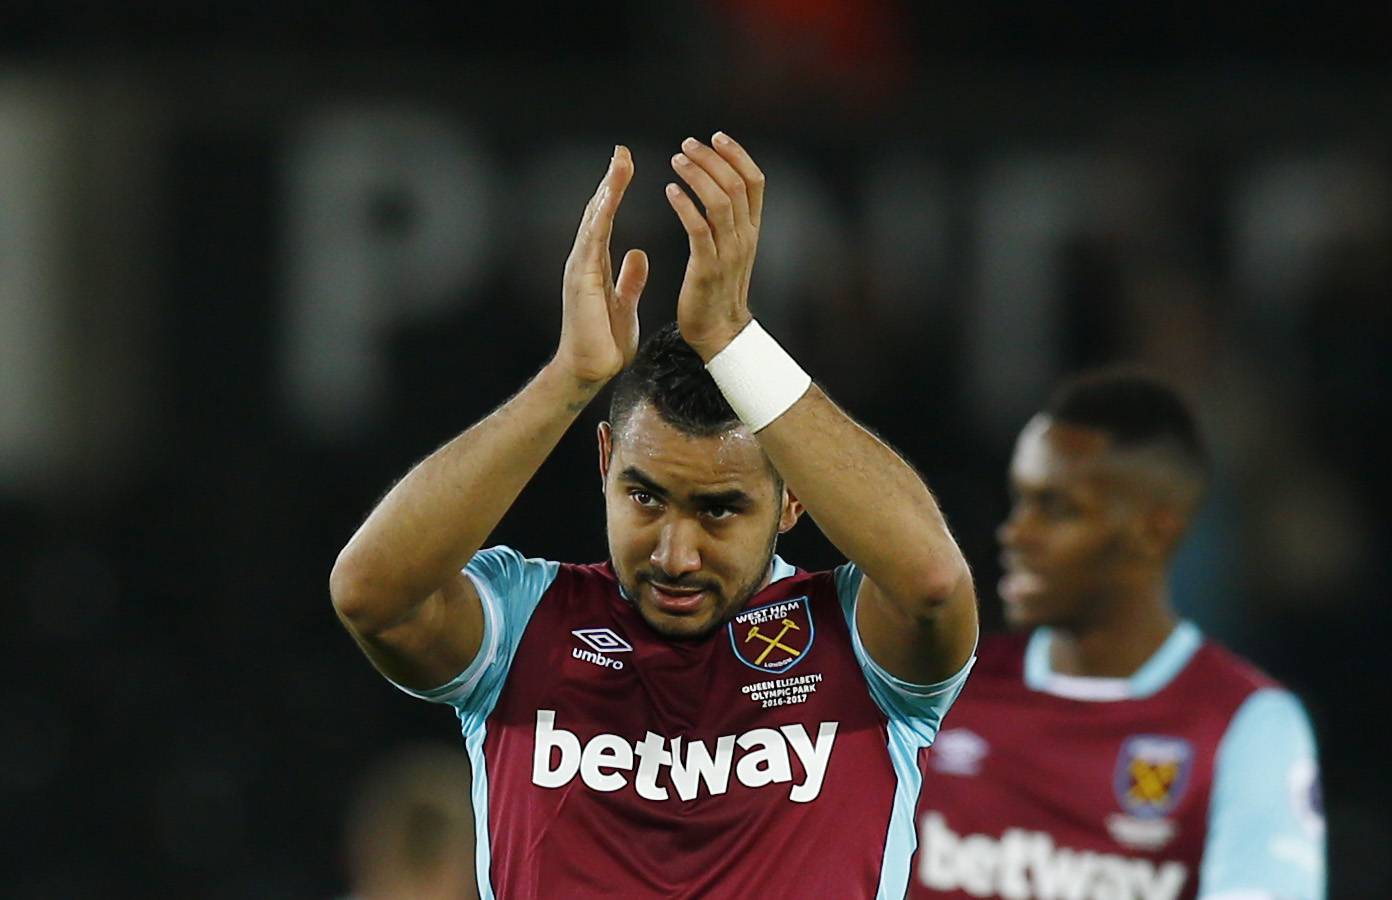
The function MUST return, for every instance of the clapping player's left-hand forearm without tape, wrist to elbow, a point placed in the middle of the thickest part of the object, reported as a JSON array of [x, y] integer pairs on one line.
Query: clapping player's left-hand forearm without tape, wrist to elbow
[[435, 520]]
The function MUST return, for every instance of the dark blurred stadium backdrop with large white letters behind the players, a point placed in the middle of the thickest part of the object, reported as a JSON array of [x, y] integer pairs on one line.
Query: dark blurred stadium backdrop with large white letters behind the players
[[257, 261]]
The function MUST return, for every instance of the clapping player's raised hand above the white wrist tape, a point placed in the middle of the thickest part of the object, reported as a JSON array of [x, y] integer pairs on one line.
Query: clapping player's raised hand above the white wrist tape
[[715, 301]]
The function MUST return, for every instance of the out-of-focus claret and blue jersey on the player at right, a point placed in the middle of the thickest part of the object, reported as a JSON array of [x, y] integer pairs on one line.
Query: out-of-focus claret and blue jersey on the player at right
[[1194, 778]]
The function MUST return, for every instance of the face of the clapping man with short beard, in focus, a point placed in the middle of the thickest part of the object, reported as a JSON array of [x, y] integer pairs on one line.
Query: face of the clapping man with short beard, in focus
[[693, 521]]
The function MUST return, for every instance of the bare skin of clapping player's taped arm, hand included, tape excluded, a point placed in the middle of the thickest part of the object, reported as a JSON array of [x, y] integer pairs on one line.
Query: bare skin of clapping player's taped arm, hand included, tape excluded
[[917, 611]]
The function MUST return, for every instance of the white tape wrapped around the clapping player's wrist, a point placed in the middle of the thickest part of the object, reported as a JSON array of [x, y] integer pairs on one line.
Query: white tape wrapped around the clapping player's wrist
[[758, 378]]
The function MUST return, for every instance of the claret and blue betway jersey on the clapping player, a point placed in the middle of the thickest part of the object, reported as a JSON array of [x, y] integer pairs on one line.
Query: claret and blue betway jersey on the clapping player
[[772, 759]]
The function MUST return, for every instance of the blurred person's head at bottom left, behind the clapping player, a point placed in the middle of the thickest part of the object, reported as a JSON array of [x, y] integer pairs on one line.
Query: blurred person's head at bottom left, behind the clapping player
[[411, 830]]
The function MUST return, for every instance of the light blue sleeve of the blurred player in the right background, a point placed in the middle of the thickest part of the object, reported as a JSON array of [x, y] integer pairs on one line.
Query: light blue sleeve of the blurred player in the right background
[[1266, 821]]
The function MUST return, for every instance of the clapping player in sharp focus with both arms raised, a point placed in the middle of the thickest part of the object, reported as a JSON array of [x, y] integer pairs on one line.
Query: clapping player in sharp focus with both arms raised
[[695, 717]]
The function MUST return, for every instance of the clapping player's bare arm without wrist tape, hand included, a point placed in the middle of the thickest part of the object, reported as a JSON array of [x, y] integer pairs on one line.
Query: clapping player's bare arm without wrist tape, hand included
[[397, 586]]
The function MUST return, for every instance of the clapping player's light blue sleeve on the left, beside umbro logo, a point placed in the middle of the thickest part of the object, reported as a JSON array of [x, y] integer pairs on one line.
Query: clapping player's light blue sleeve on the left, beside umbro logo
[[510, 588]]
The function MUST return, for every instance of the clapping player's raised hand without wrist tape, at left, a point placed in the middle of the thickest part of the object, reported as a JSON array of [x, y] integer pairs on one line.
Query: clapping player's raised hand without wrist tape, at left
[[599, 315]]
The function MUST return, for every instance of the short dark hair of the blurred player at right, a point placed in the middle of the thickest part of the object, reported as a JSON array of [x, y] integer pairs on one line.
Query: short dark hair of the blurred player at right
[[1137, 408]]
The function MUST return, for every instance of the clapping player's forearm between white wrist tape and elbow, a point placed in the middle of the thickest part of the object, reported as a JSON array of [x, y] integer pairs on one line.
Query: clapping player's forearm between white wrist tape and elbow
[[868, 501]]
